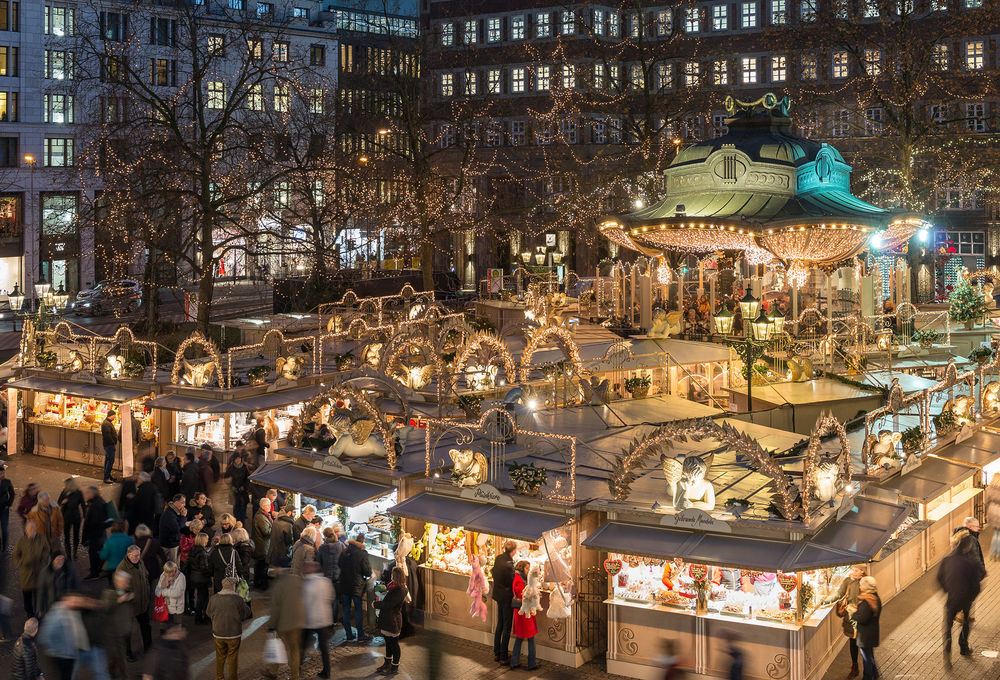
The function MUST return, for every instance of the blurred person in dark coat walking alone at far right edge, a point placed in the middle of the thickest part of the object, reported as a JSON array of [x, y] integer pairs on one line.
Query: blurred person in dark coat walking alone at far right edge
[[959, 575]]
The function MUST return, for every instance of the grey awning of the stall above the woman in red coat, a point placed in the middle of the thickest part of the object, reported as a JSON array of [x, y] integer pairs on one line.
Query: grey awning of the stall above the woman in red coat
[[528, 525]]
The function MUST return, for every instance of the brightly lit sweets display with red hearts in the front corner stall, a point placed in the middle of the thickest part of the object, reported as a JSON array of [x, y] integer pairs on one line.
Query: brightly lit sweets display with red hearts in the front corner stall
[[741, 593]]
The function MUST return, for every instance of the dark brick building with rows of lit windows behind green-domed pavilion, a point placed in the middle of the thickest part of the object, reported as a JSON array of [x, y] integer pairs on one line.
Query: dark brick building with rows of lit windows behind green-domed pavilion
[[622, 85]]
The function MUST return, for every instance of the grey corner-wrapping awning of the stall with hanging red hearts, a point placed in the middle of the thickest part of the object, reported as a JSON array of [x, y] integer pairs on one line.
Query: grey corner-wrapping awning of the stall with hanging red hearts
[[856, 538]]
